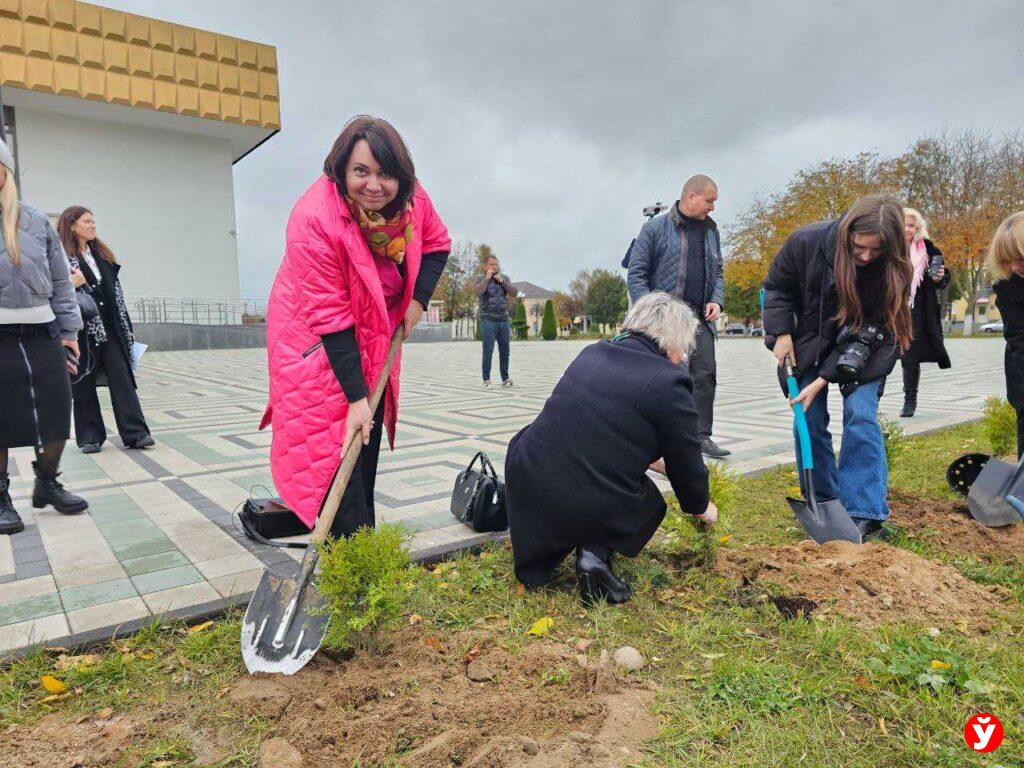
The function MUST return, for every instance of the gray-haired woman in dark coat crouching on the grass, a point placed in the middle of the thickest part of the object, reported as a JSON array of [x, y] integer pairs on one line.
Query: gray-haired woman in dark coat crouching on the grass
[[577, 477]]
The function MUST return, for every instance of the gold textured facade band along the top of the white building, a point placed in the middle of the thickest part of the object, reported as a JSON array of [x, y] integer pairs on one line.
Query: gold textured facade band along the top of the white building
[[78, 50]]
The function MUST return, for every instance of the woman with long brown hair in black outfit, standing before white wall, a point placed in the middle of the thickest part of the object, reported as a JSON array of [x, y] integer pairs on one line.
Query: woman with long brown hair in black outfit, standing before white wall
[[106, 342]]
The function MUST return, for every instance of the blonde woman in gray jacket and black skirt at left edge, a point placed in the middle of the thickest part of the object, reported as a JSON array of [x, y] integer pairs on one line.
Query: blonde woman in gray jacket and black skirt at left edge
[[39, 325]]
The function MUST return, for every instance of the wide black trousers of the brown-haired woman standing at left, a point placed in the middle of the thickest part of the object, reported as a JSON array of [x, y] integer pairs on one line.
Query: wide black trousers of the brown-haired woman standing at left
[[90, 428]]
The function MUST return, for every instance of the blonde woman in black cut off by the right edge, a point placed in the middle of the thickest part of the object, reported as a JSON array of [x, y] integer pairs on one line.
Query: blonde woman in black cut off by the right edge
[[1006, 263]]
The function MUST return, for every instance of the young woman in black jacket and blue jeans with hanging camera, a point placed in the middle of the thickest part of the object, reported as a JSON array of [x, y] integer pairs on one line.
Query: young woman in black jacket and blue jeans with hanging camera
[[849, 280]]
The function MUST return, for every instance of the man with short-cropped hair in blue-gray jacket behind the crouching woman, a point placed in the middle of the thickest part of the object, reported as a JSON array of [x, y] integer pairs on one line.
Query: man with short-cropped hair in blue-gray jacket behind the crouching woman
[[680, 252]]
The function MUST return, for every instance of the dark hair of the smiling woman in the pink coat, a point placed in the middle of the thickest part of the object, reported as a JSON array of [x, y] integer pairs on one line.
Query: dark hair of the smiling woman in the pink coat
[[389, 149]]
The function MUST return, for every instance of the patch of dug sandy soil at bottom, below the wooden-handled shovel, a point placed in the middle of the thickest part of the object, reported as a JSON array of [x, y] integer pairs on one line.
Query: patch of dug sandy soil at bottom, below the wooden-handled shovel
[[544, 707]]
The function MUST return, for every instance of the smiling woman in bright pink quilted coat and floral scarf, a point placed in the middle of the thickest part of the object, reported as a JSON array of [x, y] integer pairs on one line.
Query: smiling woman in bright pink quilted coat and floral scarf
[[365, 249]]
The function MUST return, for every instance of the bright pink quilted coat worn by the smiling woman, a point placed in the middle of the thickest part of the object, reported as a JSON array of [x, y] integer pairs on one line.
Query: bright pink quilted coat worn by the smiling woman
[[328, 282]]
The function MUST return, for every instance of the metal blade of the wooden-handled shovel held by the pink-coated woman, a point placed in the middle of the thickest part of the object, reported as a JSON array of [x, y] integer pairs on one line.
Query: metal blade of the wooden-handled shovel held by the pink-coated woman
[[285, 624]]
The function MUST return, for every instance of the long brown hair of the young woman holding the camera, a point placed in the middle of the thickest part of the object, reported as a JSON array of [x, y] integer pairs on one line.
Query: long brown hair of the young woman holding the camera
[[882, 216]]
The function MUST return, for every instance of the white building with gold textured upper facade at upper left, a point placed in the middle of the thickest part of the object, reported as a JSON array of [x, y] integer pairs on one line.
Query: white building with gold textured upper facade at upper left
[[141, 121]]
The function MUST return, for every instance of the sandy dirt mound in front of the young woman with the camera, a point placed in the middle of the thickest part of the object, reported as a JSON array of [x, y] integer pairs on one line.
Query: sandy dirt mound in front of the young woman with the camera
[[872, 584]]
